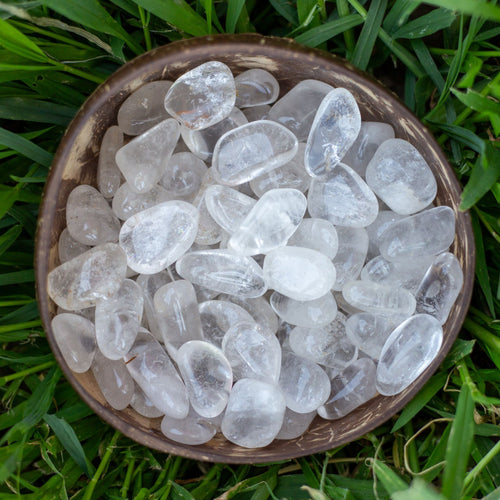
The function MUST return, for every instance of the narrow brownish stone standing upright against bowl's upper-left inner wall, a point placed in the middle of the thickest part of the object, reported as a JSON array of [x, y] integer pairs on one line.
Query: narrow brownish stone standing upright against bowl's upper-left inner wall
[[108, 174]]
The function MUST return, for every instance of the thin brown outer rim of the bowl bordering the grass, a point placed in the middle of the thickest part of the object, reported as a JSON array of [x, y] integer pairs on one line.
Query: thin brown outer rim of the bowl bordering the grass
[[136, 69]]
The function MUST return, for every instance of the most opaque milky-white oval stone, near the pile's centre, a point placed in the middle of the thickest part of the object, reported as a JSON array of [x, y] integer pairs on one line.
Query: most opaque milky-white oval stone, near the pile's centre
[[299, 273]]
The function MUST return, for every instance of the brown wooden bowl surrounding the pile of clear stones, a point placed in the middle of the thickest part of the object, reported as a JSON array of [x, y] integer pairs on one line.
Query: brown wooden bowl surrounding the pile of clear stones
[[76, 162]]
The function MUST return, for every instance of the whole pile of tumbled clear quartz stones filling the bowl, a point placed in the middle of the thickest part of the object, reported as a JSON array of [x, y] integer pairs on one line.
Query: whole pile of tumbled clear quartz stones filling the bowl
[[248, 263]]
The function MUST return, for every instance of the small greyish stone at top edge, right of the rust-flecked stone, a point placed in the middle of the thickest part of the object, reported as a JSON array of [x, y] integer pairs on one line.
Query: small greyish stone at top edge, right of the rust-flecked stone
[[255, 87]]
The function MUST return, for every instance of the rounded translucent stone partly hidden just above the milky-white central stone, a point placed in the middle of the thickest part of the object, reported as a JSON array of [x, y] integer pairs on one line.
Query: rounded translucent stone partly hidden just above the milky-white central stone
[[318, 234]]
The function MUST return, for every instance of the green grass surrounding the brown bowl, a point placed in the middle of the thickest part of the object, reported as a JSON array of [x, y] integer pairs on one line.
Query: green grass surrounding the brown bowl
[[444, 65]]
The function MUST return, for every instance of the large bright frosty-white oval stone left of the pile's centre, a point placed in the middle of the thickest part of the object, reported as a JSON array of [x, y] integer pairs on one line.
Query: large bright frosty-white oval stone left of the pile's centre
[[155, 238]]
